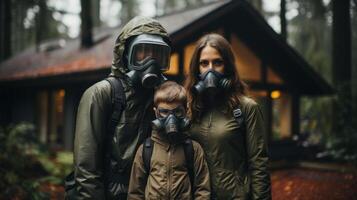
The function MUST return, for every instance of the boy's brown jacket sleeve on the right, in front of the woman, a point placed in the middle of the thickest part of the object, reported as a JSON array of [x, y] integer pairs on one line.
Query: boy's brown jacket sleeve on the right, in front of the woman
[[202, 186]]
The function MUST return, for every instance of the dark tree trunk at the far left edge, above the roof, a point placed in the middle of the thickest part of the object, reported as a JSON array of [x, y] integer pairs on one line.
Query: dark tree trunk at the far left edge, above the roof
[[5, 27]]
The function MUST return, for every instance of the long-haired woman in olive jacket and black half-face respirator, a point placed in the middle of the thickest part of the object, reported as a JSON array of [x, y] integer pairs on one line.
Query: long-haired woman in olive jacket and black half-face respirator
[[228, 125]]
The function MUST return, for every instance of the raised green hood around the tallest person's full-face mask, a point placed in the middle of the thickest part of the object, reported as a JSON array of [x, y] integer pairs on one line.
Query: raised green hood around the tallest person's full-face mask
[[136, 26]]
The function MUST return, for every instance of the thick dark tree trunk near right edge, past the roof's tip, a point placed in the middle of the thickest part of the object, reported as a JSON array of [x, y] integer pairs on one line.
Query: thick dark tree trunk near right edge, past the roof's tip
[[341, 54]]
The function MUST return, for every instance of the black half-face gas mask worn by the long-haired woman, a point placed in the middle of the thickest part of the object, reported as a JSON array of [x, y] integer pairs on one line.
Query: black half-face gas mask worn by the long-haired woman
[[211, 80]]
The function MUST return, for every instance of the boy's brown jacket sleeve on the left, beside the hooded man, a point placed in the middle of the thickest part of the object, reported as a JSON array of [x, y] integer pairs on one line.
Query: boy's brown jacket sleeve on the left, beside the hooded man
[[138, 177]]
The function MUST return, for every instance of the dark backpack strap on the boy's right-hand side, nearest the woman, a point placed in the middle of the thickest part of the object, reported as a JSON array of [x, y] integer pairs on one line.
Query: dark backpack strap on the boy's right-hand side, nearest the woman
[[189, 157]]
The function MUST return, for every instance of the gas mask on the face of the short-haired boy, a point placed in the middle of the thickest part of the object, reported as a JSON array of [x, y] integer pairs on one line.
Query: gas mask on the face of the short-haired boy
[[171, 122]]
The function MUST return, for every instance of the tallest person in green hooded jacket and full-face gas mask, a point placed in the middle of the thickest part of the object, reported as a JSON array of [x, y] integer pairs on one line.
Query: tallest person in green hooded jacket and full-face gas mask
[[141, 53]]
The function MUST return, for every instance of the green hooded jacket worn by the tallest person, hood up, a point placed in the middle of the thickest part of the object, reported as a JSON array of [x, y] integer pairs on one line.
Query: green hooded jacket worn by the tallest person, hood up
[[95, 176]]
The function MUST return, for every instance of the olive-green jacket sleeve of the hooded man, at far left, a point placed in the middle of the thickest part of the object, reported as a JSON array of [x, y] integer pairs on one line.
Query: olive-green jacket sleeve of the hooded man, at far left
[[89, 138]]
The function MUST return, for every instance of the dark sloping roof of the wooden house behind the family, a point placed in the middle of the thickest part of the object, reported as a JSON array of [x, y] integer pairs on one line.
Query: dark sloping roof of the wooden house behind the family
[[183, 27]]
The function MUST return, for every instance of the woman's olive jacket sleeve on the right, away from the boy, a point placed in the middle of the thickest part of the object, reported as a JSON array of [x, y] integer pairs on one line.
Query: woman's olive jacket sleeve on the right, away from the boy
[[257, 153]]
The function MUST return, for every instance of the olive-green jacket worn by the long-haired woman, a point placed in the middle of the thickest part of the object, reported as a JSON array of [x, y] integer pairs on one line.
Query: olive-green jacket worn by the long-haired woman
[[236, 153]]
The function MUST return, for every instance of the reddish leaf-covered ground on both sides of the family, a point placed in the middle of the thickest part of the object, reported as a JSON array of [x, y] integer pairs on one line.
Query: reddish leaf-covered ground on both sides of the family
[[293, 184]]
